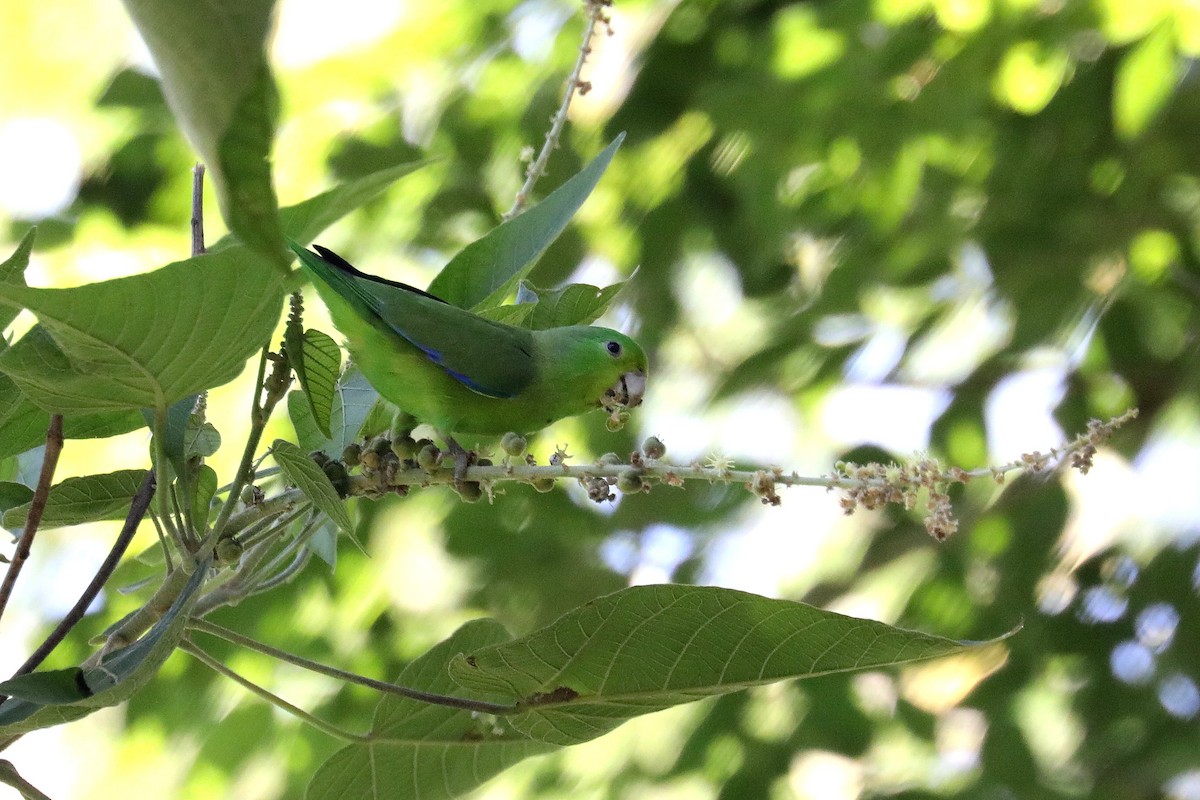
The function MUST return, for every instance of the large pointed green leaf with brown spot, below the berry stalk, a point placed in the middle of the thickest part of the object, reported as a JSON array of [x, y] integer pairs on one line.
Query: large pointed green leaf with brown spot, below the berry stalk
[[649, 648]]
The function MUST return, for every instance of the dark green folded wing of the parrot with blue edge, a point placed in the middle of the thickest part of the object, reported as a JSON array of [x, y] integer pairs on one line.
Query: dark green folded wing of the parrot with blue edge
[[489, 358]]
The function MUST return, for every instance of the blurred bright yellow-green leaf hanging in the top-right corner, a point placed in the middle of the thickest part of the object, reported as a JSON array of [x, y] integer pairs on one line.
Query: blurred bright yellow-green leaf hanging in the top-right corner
[[1144, 82]]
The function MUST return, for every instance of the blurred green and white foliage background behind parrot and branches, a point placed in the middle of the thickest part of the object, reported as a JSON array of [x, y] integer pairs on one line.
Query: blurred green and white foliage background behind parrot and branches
[[859, 230]]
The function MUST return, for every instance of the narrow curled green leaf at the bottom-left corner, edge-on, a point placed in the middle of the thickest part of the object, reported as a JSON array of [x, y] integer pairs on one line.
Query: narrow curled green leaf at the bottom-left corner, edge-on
[[117, 678]]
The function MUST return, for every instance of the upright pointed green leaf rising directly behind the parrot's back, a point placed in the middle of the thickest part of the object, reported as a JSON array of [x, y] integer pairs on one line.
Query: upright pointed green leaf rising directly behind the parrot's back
[[488, 269]]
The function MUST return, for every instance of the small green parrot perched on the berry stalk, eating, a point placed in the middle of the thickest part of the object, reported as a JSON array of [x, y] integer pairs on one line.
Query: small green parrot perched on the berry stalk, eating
[[467, 375]]
